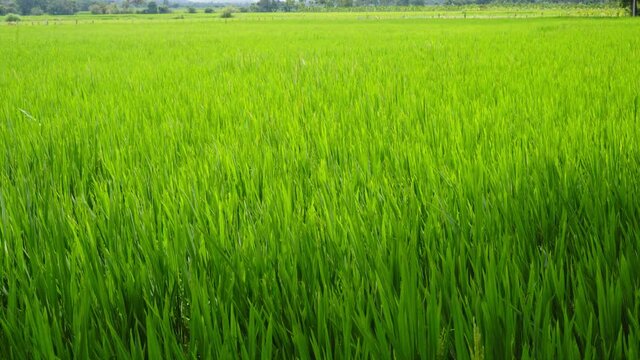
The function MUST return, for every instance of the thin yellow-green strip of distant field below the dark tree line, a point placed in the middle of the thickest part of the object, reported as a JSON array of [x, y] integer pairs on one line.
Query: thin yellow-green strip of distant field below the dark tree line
[[350, 14]]
